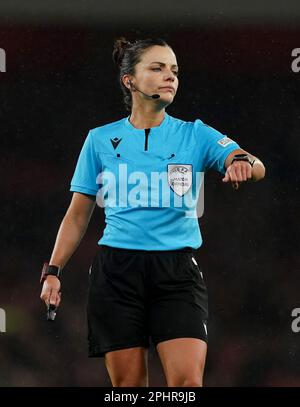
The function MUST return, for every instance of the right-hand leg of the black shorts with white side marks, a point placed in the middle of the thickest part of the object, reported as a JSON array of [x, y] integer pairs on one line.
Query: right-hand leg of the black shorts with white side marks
[[178, 306]]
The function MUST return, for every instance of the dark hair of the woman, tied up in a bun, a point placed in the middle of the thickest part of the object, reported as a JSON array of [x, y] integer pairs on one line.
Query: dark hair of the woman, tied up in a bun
[[126, 55]]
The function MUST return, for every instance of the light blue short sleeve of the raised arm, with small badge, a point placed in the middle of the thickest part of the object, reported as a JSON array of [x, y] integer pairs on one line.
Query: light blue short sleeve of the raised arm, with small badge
[[214, 146]]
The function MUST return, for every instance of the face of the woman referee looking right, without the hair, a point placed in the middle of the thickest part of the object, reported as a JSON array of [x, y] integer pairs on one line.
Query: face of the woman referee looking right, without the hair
[[157, 72]]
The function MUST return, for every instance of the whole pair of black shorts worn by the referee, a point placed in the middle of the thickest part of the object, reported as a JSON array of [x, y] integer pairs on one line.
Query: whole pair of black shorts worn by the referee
[[135, 295]]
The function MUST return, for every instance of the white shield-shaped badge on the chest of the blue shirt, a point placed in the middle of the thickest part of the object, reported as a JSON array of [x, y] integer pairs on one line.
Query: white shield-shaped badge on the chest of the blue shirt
[[180, 177]]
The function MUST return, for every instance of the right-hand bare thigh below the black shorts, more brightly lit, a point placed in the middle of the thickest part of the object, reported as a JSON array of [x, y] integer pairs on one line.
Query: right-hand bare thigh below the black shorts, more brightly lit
[[183, 361]]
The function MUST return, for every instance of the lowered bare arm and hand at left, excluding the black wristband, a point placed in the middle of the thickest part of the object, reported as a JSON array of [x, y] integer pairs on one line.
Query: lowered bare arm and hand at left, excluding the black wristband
[[70, 233]]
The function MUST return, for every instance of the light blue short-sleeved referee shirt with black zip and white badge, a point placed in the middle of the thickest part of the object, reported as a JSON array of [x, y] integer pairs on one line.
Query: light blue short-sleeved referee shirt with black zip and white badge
[[148, 181]]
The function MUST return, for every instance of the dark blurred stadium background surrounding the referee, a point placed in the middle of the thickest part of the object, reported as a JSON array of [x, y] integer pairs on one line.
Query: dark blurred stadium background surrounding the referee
[[236, 76]]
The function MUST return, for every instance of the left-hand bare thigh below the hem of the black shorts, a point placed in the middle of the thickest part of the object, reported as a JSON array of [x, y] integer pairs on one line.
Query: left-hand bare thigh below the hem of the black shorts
[[128, 367]]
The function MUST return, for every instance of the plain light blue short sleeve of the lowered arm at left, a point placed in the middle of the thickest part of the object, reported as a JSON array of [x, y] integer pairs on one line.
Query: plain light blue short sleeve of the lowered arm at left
[[87, 169]]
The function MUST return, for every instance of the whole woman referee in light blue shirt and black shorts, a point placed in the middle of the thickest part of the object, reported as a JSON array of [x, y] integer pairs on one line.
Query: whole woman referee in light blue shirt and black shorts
[[144, 281]]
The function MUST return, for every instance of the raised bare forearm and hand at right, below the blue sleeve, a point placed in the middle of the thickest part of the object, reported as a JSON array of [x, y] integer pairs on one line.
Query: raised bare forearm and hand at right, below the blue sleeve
[[241, 171]]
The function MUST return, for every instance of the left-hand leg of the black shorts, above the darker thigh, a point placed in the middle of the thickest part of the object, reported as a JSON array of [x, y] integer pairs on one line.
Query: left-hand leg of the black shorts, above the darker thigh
[[116, 310]]
